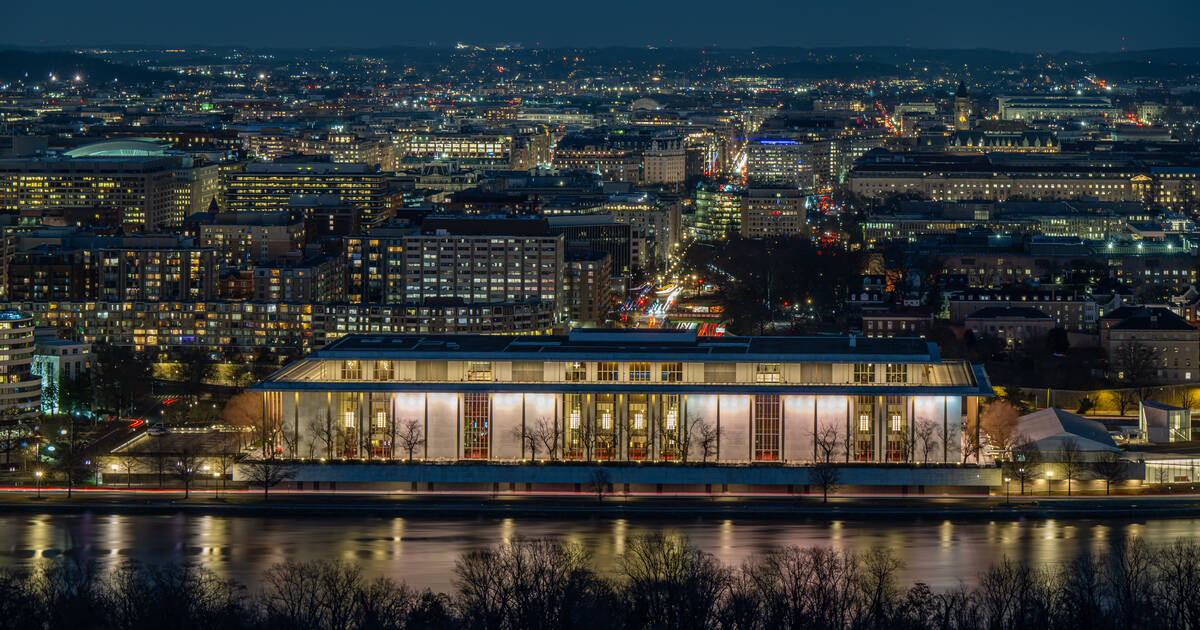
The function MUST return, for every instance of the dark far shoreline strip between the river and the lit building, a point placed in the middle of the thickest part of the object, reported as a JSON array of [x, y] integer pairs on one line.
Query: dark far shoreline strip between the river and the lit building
[[811, 508]]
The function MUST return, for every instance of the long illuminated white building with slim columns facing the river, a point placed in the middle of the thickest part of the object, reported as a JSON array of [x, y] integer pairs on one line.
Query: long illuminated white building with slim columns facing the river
[[623, 395]]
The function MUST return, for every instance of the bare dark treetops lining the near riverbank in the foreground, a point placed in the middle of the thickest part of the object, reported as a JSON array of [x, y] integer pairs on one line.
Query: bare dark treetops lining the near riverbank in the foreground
[[663, 583]]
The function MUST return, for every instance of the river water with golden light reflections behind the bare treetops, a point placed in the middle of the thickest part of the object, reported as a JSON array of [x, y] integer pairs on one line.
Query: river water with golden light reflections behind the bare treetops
[[422, 551]]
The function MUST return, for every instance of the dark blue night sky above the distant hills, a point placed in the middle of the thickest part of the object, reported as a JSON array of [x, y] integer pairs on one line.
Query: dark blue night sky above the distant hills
[[1046, 26]]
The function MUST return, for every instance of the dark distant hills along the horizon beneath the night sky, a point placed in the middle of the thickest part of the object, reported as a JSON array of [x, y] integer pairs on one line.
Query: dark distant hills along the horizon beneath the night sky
[[785, 63]]
